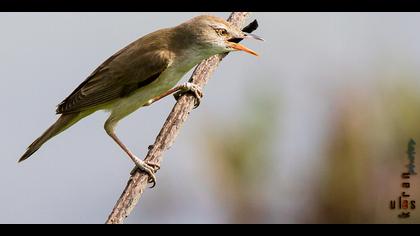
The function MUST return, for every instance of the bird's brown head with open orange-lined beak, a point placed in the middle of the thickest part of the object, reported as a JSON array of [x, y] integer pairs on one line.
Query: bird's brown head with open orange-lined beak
[[215, 35]]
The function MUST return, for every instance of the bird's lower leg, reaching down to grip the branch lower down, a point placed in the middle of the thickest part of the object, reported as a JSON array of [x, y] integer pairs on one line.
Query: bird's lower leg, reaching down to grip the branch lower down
[[149, 168]]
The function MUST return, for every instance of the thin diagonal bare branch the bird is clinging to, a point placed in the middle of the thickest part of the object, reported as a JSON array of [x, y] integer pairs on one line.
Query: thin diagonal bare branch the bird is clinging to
[[179, 114]]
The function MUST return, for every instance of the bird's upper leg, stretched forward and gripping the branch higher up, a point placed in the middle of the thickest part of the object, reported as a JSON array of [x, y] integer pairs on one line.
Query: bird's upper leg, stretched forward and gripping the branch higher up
[[180, 90]]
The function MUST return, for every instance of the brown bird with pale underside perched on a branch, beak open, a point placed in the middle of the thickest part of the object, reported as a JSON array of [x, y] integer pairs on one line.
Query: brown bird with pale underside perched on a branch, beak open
[[142, 73]]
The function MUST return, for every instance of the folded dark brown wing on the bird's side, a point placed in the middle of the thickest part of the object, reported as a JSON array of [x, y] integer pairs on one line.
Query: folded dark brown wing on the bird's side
[[121, 74]]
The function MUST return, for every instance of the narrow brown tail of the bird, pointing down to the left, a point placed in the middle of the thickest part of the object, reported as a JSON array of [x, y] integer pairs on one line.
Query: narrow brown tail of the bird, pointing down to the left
[[63, 122]]
